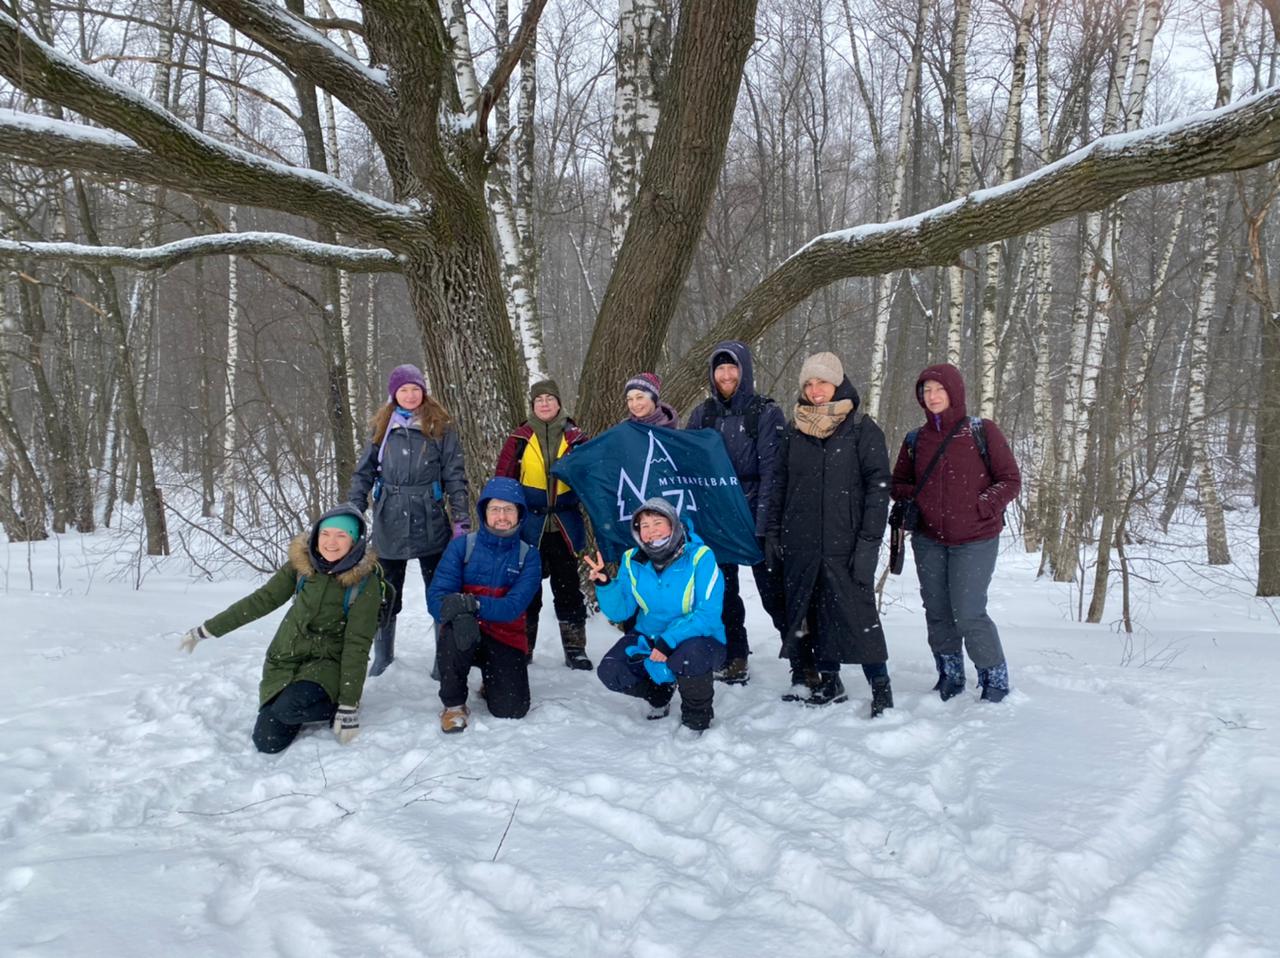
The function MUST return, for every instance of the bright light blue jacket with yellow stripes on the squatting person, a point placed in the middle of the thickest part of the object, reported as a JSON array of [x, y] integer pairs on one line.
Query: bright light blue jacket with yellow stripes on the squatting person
[[680, 603]]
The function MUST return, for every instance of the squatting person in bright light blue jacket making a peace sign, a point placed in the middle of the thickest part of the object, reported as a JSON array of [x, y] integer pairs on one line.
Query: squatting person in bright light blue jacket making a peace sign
[[674, 587]]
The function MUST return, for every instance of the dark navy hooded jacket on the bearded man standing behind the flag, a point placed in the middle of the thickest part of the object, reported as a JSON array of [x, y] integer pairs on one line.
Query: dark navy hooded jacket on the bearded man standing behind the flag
[[756, 460]]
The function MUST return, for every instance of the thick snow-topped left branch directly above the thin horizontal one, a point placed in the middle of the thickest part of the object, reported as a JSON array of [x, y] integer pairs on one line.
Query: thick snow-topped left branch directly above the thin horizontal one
[[205, 168]]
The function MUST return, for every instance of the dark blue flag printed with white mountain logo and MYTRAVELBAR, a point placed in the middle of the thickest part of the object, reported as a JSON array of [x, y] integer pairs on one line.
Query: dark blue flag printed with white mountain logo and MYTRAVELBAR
[[627, 466]]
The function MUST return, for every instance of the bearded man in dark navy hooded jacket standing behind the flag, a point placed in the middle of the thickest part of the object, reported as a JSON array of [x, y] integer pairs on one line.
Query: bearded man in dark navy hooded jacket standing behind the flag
[[752, 427]]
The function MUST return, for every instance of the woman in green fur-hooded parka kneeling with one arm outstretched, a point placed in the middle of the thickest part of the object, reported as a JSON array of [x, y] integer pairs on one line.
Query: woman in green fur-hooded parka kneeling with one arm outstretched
[[316, 665]]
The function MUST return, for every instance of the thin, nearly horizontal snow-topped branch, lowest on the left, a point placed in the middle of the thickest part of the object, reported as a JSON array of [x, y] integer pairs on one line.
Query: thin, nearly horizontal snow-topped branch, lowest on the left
[[249, 244]]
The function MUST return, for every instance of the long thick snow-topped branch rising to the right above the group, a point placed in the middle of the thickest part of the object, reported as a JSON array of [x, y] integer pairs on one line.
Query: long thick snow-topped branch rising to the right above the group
[[1236, 138]]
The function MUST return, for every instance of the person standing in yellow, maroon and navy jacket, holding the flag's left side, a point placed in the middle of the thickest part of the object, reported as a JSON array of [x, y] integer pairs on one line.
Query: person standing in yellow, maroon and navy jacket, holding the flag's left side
[[554, 518]]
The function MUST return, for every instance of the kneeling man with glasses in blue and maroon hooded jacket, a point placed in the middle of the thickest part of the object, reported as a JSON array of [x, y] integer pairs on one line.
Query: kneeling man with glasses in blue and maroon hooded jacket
[[479, 594]]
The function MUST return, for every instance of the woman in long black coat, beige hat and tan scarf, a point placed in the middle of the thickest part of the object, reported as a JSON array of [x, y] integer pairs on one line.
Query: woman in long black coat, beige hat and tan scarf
[[828, 517]]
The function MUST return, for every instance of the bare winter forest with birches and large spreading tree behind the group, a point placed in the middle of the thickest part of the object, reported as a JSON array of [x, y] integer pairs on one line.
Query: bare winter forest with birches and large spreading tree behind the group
[[225, 221]]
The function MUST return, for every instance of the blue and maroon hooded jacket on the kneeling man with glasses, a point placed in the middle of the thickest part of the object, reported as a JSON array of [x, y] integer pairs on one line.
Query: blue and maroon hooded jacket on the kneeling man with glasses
[[495, 576]]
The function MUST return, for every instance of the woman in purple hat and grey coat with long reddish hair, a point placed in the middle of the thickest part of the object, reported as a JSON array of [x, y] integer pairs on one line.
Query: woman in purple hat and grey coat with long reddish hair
[[413, 466]]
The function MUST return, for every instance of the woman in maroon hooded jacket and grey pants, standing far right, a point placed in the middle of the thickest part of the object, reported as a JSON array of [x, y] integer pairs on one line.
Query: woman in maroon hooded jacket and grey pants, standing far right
[[957, 536]]
